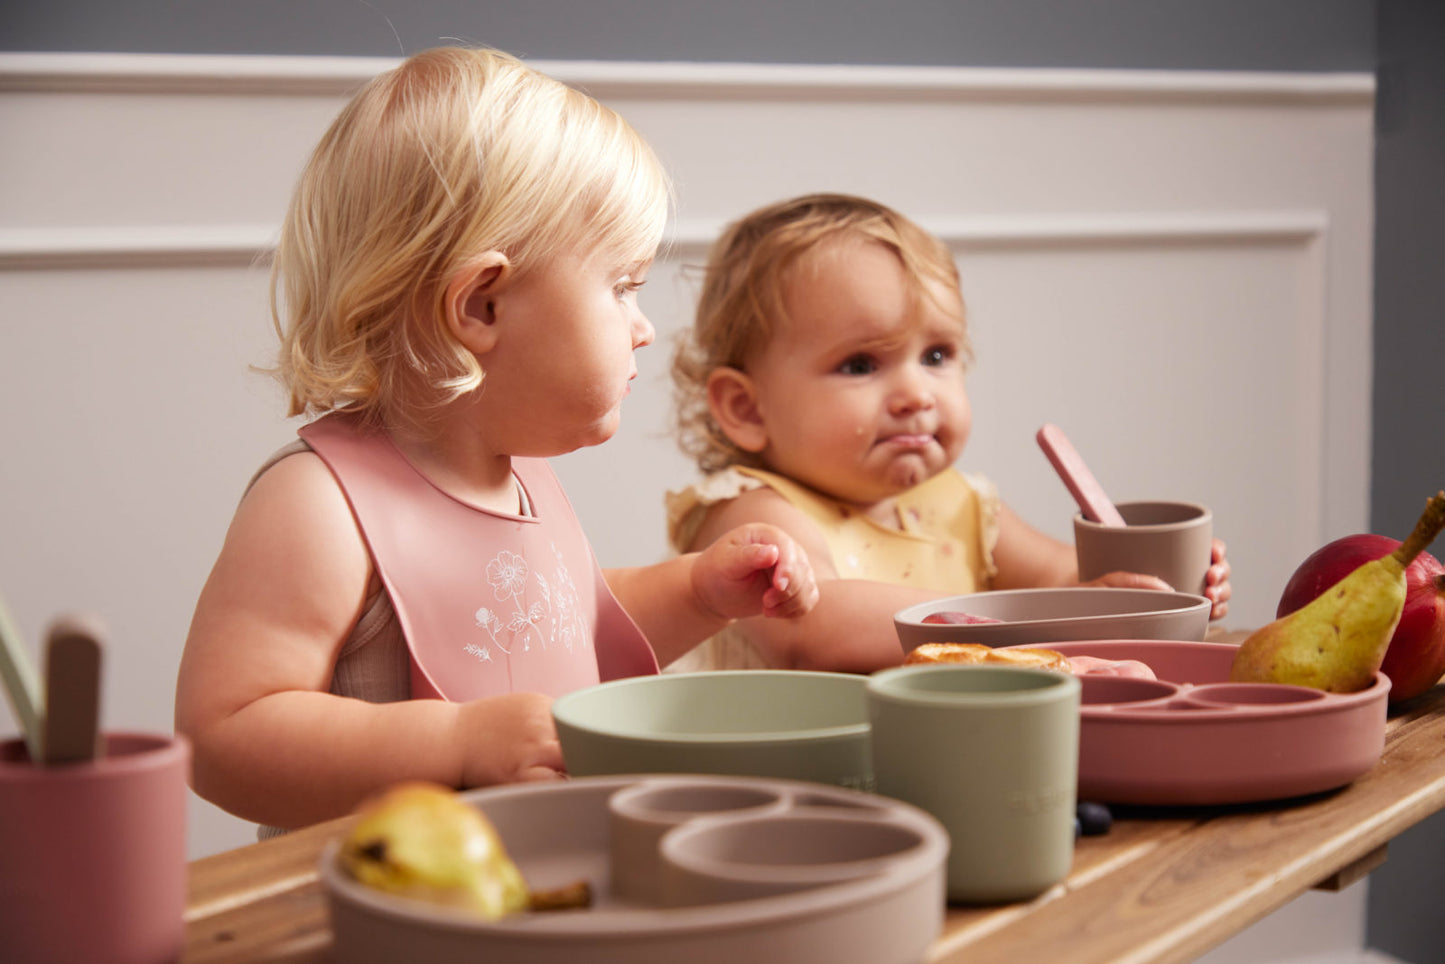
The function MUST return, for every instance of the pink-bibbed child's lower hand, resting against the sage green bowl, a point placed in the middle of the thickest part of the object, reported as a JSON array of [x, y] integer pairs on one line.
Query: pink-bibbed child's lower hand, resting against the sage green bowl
[[509, 739]]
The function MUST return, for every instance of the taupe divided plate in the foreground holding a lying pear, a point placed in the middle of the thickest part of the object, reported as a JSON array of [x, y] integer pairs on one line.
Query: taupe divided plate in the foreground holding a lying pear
[[693, 869]]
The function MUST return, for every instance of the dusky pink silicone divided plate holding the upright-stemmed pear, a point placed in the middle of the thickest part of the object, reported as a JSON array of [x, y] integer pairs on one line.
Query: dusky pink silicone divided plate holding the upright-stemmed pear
[[1193, 738]]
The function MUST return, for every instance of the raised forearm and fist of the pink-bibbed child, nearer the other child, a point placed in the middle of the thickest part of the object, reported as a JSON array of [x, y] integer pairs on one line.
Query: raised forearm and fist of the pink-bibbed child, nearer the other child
[[754, 570]]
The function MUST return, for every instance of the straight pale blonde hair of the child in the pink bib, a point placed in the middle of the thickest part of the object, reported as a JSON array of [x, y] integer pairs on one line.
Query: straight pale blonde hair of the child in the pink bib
[[453, 154]]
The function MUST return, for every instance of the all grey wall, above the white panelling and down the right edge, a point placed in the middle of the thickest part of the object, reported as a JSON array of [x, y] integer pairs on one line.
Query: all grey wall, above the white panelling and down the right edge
[[1405, 38]]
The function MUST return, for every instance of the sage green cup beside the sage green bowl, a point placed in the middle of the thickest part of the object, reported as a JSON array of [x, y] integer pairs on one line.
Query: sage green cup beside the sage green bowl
[[992, 752]]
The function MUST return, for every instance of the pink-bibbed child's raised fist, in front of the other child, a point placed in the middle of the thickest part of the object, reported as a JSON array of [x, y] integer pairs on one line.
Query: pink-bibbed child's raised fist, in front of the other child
[[755, 569]]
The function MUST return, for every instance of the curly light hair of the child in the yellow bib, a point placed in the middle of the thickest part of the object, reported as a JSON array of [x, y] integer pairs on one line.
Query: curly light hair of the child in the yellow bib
[[743, 290]]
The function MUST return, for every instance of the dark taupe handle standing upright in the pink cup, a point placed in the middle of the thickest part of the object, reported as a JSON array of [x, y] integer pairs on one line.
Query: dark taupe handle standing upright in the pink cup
[[73, 692]]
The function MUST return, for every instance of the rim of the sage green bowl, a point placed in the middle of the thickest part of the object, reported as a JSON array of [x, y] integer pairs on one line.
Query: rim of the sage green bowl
[[564, 712]]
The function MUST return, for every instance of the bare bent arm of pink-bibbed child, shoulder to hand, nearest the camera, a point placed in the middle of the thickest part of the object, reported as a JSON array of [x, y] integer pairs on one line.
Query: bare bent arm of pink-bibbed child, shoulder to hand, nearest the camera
[[271, 745]]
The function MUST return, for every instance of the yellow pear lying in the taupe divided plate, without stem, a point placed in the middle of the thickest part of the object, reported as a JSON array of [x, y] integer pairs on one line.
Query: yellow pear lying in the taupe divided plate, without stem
[[421, 840]]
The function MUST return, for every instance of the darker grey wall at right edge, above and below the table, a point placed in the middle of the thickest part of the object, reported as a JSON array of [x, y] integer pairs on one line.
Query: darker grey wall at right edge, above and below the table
[[1408, 459]]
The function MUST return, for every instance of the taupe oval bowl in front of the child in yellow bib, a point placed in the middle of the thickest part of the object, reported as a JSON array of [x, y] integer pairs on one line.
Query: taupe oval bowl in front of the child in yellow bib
[[1056, 616]]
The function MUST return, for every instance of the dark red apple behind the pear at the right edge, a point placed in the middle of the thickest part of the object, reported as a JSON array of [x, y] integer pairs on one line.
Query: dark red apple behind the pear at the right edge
[[1417, 655]]
